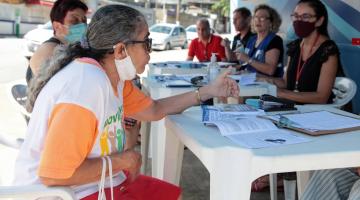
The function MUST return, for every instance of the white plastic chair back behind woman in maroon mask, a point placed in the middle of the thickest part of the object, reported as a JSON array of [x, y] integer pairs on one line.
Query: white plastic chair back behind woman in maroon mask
[[344, 90]]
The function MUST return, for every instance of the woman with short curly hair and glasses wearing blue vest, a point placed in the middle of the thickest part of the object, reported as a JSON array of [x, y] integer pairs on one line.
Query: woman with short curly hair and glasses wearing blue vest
[[264, 51]]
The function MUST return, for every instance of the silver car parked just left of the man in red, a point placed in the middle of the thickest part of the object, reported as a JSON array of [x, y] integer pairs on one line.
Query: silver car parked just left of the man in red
[[166, 36]]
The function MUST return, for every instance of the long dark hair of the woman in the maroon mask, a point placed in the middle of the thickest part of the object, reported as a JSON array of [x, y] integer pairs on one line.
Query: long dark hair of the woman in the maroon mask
[[320, 10]]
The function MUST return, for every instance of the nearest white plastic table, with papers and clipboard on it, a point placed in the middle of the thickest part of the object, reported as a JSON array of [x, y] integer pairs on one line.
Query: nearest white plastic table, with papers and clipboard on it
[[232, 167]]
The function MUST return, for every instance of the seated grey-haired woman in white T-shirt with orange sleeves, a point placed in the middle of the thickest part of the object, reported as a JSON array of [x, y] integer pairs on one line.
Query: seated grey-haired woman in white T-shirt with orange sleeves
[[76, 133]]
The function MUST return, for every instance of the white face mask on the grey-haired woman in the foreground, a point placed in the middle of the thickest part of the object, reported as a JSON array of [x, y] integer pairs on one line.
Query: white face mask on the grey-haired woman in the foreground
[[125, 68]]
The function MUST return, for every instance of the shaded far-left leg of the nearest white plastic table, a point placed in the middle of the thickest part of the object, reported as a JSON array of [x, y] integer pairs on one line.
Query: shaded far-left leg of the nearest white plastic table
[[174, 151]]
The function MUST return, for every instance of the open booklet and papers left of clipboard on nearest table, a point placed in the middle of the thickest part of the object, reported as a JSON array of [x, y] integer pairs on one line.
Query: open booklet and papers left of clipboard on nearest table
[[243, 127]]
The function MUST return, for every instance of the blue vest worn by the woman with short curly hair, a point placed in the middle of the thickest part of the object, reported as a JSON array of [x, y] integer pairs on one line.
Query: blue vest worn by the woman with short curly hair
[[259, 55]]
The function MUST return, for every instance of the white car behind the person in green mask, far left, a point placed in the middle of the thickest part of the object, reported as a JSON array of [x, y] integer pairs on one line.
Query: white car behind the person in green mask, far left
[[34, 38]]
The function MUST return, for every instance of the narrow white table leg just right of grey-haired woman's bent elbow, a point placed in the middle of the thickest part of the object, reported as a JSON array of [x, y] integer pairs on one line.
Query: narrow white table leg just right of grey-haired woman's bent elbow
[[145, 133]]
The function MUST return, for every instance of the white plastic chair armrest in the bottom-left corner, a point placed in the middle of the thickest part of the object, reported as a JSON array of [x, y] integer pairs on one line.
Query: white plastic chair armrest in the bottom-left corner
[[36, 191]]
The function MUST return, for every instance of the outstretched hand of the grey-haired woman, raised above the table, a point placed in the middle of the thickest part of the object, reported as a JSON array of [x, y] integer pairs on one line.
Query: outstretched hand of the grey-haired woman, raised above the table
[[224, 86]]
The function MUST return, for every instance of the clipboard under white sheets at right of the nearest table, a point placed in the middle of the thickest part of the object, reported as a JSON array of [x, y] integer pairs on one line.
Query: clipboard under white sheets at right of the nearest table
[[316, 132]]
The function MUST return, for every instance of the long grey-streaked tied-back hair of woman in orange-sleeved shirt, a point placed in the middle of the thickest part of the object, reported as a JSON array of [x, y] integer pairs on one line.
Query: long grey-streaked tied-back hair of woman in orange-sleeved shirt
[[109, 26]]
